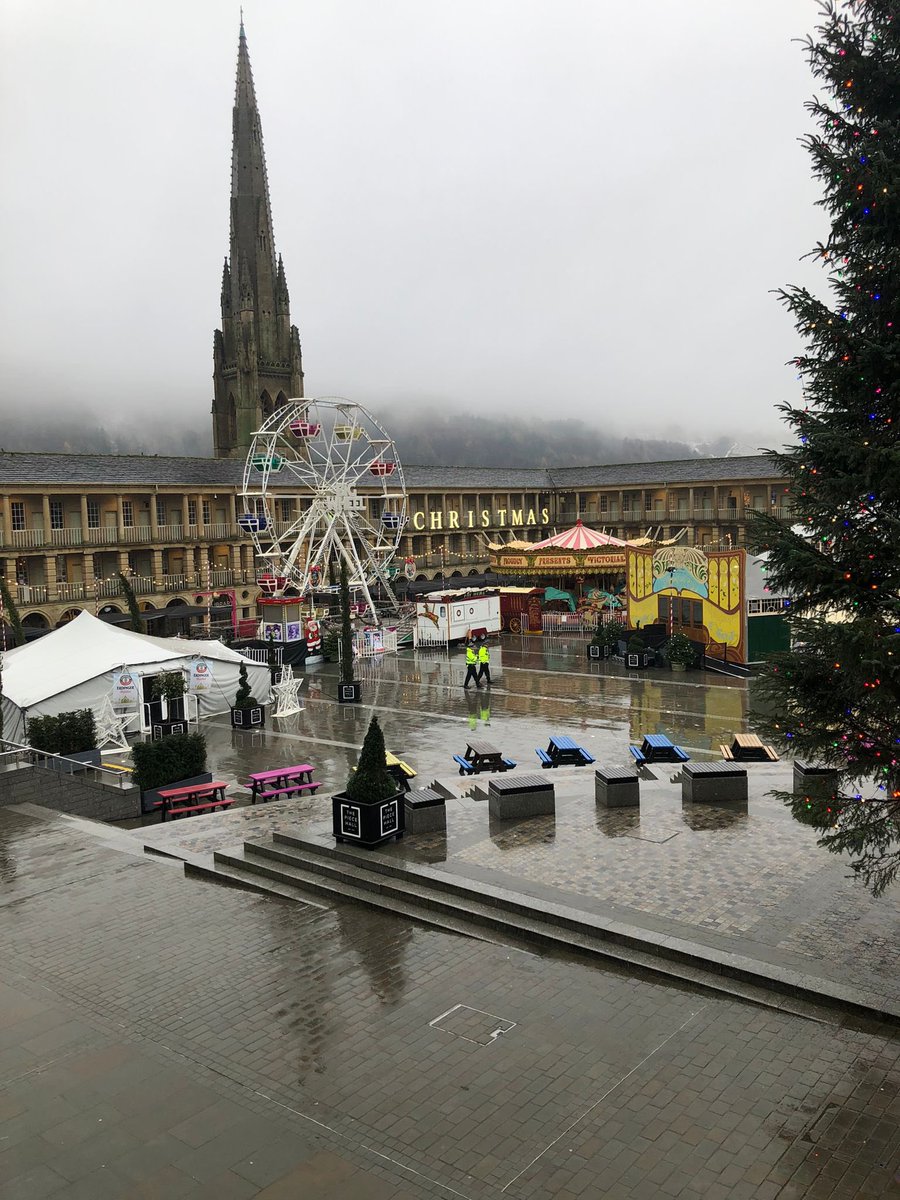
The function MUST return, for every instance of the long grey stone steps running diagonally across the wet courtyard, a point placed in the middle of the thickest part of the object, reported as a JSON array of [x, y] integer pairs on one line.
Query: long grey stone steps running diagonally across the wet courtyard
[[298, 869]]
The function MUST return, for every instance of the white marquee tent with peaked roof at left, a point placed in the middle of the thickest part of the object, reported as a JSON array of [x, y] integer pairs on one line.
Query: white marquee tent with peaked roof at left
[[75, 668]]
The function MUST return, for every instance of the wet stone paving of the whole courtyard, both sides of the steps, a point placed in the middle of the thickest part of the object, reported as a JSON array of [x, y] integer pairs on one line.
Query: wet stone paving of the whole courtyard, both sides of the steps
[[161, 1036]]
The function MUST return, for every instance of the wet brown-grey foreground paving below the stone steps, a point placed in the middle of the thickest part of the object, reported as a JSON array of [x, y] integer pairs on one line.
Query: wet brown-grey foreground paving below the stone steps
[[165, 1037]]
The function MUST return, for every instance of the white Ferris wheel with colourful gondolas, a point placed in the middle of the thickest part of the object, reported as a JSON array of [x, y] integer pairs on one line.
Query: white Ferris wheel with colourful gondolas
[[323, 484]]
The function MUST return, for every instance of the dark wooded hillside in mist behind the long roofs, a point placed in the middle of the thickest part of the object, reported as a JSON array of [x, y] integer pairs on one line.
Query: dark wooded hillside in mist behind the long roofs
[[422, 439]]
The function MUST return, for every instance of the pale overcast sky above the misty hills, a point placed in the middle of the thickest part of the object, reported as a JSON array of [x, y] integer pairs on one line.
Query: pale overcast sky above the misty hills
[[562, 207]]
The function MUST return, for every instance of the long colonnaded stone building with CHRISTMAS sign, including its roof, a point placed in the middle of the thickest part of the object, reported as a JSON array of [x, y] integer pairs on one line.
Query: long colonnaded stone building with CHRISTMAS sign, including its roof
[[70, 524]]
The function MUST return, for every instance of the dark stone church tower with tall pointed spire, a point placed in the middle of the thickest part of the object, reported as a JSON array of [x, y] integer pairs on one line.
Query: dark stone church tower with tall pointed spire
[[257, 363]]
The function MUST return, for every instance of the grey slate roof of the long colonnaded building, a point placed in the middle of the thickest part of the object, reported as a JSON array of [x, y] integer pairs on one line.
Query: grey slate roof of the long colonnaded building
[[147, 471]]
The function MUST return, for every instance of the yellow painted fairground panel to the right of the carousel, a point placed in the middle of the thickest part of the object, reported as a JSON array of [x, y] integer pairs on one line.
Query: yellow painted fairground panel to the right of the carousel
[[700, 592]]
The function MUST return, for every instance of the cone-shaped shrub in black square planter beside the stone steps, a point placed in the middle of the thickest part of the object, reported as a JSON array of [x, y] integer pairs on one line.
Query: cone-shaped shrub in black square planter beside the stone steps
[[371, 809]]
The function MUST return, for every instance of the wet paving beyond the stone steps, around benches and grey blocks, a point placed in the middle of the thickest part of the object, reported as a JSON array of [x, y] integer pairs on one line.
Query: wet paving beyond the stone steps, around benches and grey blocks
[[742, 879]]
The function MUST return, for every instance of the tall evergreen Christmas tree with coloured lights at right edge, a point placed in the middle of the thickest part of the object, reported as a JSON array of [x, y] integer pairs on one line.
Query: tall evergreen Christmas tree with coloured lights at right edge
[[836, 697]]
